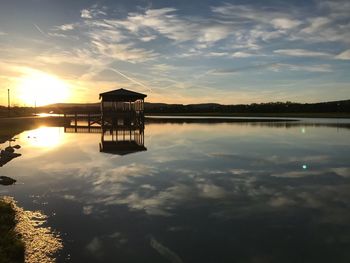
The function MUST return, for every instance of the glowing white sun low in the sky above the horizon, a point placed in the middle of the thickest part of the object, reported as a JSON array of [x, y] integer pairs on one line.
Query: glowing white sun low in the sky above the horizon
[[38, 88]]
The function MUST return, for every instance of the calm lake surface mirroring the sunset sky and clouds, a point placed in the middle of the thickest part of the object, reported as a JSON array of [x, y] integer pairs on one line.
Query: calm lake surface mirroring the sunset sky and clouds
[[224, 192]]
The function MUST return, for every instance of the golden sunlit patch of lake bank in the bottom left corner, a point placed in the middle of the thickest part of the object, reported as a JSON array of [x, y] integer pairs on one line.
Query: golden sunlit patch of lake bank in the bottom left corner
[[31, 242]]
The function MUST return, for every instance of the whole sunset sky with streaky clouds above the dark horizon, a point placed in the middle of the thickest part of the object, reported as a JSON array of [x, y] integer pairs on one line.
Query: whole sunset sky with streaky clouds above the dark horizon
[[193, 51]]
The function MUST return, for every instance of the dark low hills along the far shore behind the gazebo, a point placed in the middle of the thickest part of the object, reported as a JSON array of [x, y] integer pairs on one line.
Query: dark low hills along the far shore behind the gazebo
[[342, 106]]
